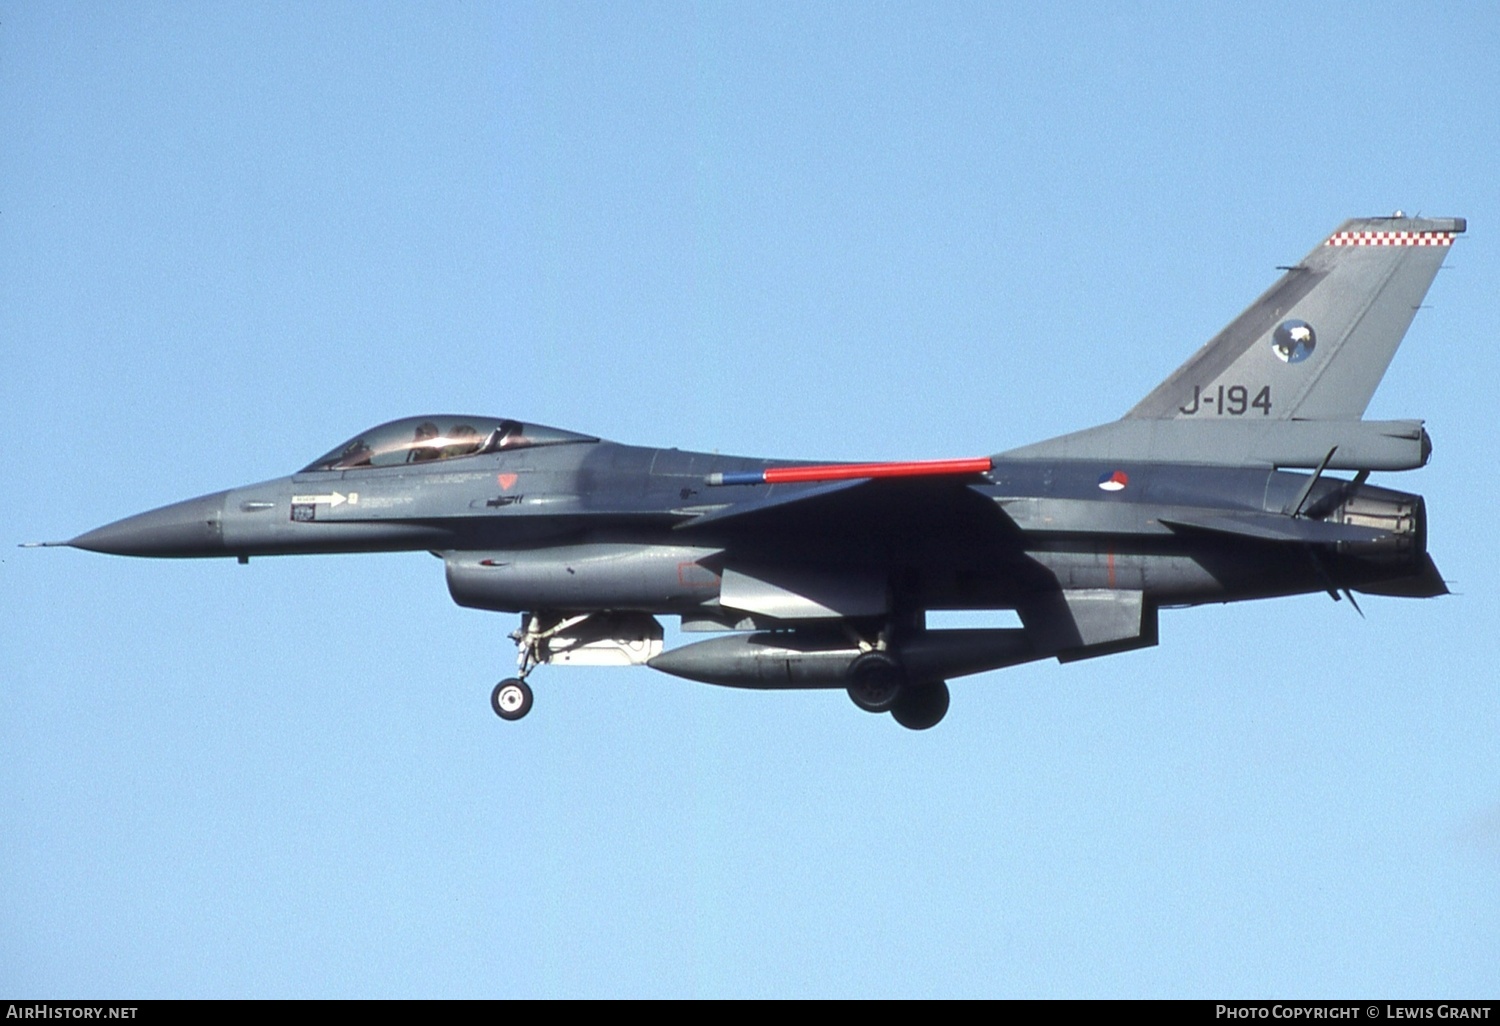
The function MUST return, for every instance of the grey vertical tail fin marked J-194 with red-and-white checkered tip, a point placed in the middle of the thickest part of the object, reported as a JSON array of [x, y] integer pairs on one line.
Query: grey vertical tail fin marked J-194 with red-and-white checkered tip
[[1316, 346]]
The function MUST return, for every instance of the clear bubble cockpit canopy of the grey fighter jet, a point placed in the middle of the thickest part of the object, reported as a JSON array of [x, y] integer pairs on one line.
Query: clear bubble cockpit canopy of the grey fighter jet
[[422, 440]]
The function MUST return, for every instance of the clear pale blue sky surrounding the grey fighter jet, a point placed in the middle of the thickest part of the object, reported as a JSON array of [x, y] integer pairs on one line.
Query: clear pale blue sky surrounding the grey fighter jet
[[232, 236]]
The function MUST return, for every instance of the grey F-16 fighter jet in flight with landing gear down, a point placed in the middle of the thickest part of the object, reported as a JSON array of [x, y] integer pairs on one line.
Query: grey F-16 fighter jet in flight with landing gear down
[[1213, 488]]
